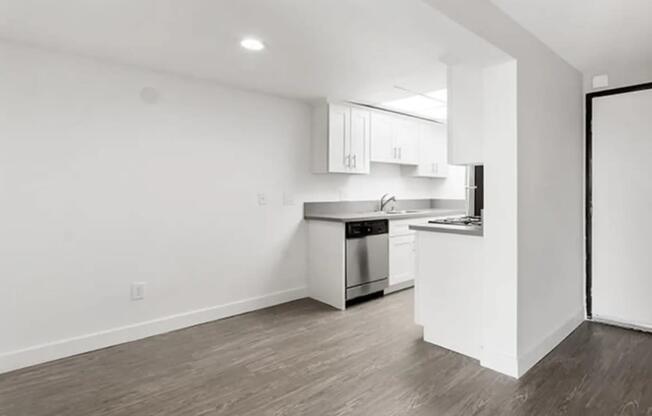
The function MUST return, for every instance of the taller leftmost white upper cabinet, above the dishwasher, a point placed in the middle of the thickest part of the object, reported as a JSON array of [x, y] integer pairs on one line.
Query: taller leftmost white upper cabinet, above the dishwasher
[[340, 139]]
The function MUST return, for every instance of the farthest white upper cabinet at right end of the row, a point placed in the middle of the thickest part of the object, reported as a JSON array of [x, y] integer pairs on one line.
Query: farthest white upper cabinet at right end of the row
[[433, 156]]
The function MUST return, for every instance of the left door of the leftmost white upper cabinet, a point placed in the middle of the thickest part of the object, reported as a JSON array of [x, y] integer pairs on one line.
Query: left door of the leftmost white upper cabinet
[[339, 134]]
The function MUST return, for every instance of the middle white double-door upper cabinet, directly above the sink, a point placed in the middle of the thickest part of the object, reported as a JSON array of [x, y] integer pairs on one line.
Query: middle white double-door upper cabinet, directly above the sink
[[394, 139]]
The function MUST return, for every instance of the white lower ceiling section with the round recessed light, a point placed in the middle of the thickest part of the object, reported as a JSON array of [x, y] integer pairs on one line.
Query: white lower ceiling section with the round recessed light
[[345, 49]]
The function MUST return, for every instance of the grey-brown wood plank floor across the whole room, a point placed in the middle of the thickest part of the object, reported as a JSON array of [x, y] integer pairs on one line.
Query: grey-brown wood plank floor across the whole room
[[303, 358]]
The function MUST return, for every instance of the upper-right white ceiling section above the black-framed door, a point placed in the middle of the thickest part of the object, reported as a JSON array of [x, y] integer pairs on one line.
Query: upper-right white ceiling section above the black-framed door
[[595, 36]]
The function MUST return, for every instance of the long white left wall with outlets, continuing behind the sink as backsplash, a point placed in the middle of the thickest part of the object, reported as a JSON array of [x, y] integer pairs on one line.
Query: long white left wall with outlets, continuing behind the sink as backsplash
[[99, 188]]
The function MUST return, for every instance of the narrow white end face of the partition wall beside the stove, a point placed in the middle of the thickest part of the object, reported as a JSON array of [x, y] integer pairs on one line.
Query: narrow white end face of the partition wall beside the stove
[[500, 280]]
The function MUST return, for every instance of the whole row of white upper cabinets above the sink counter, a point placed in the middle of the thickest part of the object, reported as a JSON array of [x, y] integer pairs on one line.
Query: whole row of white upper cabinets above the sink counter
[[347, 137]]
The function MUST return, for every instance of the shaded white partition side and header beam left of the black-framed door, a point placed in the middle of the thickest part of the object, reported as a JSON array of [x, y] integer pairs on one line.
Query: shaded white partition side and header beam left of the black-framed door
[[549, 163]]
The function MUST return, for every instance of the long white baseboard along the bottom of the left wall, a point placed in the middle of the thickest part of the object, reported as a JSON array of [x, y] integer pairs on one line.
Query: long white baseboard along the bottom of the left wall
[[37, 354]]
